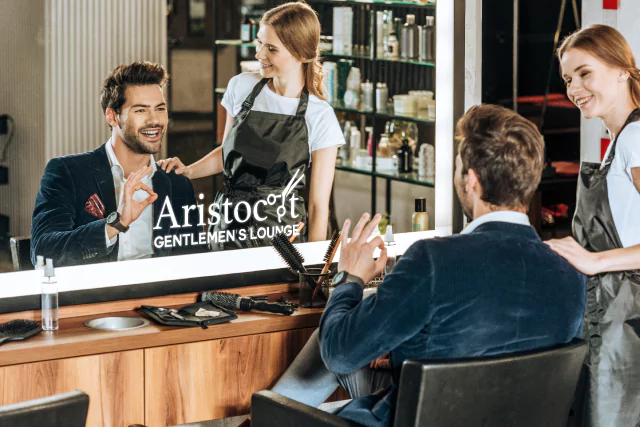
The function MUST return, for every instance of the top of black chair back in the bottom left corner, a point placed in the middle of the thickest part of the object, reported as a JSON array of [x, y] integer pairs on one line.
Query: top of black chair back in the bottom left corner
[[62, 410]]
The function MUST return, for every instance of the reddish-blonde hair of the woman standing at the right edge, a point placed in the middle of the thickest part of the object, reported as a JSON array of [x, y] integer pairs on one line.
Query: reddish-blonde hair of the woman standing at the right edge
[[609, 46]]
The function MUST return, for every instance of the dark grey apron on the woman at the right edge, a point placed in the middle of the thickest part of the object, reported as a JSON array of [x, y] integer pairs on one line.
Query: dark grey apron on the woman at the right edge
[[613, 308]]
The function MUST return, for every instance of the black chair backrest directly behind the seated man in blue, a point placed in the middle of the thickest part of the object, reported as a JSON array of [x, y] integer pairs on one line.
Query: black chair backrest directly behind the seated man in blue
[[530, 389]]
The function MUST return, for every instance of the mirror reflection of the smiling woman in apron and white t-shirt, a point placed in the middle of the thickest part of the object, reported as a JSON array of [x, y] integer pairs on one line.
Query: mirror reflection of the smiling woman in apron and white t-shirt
[[277, 119]]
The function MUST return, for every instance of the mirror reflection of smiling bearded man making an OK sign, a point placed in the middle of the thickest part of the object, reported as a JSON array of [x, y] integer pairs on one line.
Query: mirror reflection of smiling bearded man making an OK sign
[[105, 205]]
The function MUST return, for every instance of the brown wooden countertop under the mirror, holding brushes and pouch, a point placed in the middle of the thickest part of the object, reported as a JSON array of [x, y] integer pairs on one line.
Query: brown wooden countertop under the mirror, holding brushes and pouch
[[73, 339]]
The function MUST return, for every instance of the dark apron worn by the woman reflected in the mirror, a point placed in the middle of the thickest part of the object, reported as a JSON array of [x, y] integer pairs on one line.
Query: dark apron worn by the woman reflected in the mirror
[[262, 154]]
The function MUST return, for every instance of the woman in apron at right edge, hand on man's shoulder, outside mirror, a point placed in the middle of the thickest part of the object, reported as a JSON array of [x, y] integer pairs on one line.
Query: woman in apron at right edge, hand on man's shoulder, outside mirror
[[603, 81]]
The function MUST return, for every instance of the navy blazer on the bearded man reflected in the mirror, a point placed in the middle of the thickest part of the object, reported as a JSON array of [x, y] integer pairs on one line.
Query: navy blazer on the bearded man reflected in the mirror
[[61, 229]]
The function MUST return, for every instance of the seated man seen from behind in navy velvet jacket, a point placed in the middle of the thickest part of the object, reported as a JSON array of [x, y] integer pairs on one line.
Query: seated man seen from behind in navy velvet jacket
[[493, 289]]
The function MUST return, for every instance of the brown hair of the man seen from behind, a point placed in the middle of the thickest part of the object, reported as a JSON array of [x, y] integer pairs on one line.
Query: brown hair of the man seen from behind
[[505, 150]]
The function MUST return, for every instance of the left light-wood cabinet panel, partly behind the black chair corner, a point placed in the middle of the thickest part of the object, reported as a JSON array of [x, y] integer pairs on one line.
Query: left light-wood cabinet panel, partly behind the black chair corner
[[113, 381]]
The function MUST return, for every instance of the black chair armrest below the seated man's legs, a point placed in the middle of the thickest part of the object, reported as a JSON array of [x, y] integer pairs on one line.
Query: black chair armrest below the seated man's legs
[[269, 409]]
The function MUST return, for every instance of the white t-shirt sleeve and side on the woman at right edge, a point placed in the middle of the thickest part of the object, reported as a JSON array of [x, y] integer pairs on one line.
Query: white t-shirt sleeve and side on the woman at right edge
[[624, 197]]
